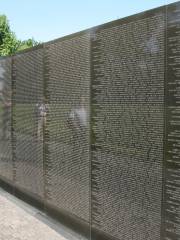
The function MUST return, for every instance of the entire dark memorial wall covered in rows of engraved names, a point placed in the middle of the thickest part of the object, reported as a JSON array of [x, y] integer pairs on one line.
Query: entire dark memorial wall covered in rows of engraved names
[[89, 126]]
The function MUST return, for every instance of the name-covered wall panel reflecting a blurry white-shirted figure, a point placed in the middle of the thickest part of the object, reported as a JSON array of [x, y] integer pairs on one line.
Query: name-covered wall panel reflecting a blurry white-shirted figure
[[68, 91]]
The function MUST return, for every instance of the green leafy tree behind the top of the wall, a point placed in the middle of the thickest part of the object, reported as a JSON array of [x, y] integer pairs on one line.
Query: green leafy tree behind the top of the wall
[[9, 44]]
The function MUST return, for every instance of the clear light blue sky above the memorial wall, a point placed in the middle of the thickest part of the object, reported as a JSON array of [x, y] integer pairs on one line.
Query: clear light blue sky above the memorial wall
[[49, 19]]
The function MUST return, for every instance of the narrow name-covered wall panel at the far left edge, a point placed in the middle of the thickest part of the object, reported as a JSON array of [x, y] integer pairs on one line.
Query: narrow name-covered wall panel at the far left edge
[[6, 160]]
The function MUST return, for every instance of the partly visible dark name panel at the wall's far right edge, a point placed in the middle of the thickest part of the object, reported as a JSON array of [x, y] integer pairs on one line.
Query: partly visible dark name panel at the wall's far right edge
[[171, 201]]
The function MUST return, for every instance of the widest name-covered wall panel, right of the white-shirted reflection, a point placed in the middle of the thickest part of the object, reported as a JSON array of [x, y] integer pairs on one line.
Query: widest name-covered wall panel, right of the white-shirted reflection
[[128, 126]]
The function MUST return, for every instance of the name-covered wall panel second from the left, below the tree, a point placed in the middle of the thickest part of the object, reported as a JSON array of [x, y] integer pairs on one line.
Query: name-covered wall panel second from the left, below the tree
[[28, 88]]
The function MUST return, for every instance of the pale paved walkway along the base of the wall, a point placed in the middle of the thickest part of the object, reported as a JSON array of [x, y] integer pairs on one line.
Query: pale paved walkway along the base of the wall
[[19, 221]]
